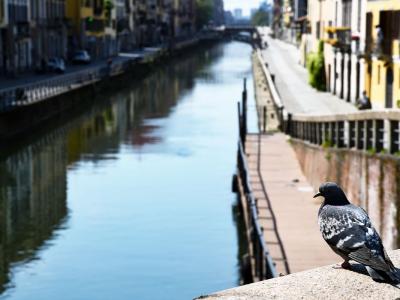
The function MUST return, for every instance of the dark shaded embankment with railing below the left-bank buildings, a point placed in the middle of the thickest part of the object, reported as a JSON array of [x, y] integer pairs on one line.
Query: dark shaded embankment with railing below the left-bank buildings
[[27, 102]]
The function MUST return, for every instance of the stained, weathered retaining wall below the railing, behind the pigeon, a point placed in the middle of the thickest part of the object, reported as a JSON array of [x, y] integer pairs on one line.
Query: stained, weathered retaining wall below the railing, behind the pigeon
[[369, 180]]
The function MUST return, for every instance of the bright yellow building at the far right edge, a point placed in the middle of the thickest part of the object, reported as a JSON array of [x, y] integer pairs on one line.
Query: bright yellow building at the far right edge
[[382, 53]]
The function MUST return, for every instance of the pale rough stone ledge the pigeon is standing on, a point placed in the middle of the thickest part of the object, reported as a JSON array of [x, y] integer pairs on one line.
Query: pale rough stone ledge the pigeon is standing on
[[321, 283]]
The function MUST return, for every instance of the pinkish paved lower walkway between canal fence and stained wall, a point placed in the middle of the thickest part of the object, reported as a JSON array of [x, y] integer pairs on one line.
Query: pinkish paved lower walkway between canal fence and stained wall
[[291, 199]]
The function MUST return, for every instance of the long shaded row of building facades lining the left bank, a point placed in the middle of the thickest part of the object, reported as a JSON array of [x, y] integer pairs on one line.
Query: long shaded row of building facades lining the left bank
[[34, 31]]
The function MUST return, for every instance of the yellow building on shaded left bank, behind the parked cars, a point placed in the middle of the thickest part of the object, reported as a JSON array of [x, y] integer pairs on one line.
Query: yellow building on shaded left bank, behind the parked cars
[[93, 26]]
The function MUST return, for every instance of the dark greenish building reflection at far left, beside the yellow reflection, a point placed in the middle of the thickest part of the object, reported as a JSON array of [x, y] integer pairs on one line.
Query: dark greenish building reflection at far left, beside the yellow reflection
[[32, 202]]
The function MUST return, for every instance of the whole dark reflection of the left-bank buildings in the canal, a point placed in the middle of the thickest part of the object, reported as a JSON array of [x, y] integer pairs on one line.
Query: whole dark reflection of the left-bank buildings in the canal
[[33, 178]]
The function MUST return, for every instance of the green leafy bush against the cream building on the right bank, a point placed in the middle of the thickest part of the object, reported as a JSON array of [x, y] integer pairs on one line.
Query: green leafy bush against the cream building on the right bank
[[316, 68]]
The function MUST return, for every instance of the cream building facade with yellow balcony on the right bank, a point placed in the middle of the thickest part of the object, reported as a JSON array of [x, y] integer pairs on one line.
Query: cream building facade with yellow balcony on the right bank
[[338, 24]]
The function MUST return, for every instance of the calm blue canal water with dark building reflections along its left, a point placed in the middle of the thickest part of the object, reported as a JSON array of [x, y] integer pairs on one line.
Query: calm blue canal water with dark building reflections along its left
[[131, 199]]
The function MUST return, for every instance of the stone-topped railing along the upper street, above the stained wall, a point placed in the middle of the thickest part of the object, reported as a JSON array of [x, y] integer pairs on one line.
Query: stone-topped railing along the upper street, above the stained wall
[[370, 130]]
